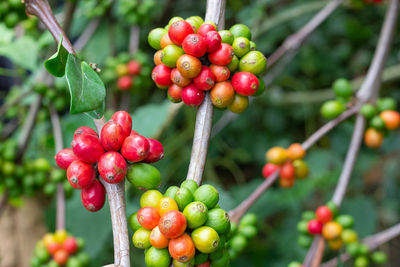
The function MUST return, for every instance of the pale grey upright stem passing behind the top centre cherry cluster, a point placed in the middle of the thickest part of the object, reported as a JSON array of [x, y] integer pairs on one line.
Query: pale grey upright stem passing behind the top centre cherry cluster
[[215, 12]]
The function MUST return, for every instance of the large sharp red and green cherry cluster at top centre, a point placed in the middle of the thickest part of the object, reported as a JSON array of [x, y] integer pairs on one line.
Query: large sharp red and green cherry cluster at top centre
[[193, 58]]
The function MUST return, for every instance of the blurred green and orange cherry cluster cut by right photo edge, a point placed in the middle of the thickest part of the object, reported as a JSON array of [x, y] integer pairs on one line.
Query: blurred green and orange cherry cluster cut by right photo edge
[[381, 117]]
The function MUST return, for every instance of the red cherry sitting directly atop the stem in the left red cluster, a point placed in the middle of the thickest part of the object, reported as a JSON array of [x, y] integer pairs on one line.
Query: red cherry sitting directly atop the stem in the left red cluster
[[112, 167]]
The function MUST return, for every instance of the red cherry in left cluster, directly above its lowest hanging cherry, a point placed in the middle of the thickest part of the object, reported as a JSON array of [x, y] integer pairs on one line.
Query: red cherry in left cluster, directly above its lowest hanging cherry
[[80, 174]]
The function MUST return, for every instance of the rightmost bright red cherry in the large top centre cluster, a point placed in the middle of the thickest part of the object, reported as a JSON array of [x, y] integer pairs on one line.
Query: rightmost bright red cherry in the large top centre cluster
[[245, 83]]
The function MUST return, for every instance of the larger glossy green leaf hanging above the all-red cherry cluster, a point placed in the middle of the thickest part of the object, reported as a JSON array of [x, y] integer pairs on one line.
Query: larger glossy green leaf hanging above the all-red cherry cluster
[[86, 88]]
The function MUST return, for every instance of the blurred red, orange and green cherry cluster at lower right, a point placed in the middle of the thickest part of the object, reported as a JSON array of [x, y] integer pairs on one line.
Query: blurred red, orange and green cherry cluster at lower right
[[337, 230]]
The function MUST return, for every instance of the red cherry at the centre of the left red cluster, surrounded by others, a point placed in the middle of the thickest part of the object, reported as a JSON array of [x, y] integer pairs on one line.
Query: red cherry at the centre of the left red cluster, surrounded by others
[[112, 136]]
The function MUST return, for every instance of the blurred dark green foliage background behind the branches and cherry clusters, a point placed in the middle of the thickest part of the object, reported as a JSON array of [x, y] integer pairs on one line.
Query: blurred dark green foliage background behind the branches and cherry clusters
[[287, 112]]
